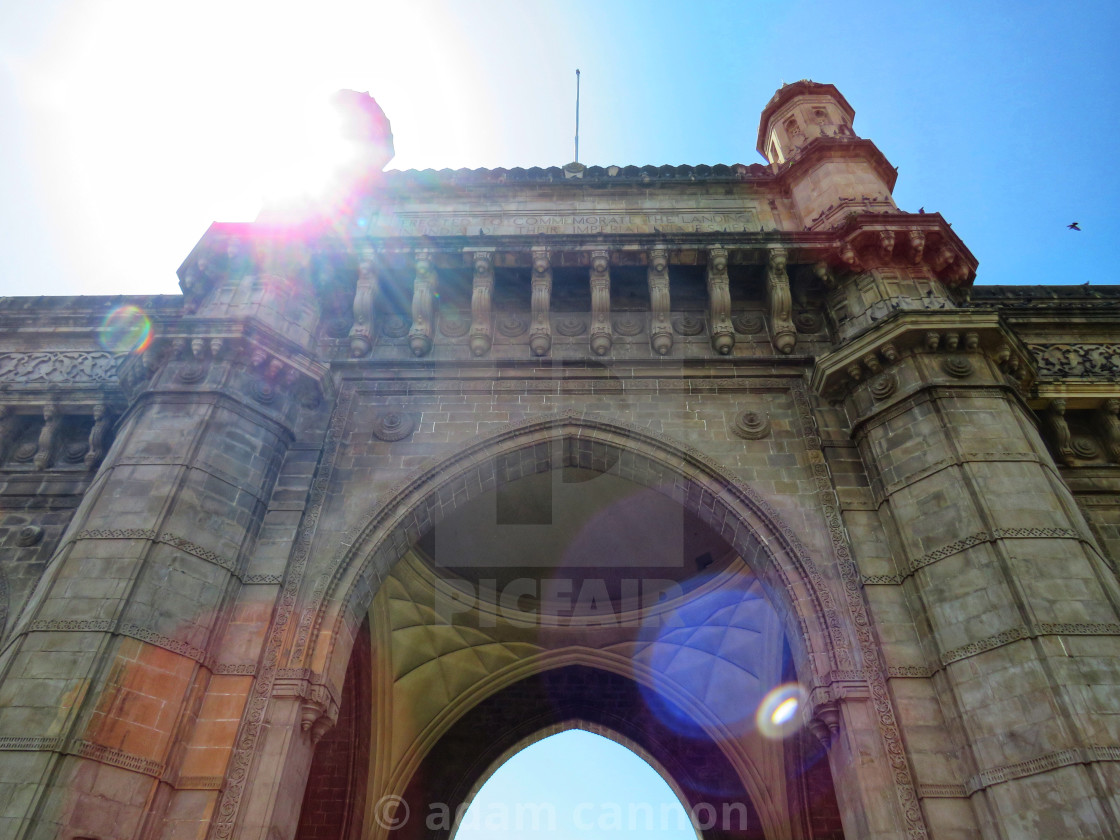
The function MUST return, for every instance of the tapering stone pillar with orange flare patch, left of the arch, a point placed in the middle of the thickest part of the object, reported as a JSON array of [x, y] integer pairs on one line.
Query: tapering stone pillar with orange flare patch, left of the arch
[[117, 696]]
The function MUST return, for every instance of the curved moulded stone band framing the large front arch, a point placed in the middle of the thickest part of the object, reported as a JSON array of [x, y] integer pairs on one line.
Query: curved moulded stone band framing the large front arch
[[820, 636]]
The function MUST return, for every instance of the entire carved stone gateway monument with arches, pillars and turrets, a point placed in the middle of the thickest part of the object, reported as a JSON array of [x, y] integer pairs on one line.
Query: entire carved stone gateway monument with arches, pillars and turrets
[[469, 459]]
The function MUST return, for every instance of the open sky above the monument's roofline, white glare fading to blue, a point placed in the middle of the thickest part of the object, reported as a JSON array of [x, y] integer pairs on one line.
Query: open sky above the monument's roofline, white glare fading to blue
[[128, 127]]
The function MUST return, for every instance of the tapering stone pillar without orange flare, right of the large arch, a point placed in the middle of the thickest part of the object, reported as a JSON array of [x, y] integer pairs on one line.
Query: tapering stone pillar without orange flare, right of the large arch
[[1015, 642]]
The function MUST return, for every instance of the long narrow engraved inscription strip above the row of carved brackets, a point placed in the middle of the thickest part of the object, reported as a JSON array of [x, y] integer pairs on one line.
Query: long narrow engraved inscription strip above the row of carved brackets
[[570, 223]]
